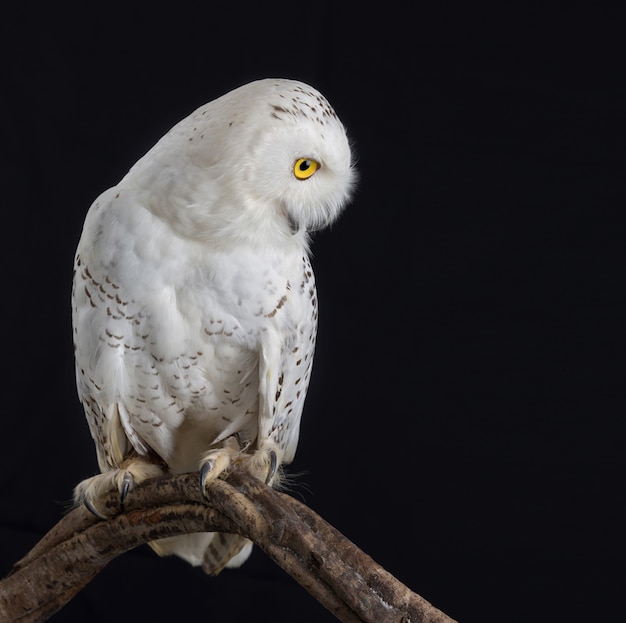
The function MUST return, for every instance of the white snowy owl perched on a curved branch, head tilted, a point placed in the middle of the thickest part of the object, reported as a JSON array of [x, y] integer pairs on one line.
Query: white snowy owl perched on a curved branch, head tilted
[[194, 307]]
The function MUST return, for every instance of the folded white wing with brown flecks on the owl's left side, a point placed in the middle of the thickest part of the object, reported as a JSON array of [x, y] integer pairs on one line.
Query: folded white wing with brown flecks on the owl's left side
[[119, 378]]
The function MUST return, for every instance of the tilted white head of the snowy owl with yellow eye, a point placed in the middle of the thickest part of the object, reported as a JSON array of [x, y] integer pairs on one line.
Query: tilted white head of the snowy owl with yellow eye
[[266, 160]]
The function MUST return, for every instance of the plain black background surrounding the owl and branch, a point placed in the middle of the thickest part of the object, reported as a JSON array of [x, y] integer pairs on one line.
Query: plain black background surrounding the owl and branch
[[463, 424]]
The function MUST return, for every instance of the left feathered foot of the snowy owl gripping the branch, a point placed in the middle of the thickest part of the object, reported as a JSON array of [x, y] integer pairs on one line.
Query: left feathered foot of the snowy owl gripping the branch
[[132, 472]]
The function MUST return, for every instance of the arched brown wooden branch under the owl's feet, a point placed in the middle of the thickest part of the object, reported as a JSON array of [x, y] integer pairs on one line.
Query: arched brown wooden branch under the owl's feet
[[336, 572]]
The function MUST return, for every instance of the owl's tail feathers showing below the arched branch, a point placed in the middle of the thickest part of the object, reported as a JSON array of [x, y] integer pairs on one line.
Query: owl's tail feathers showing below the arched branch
[[211, 550]]
